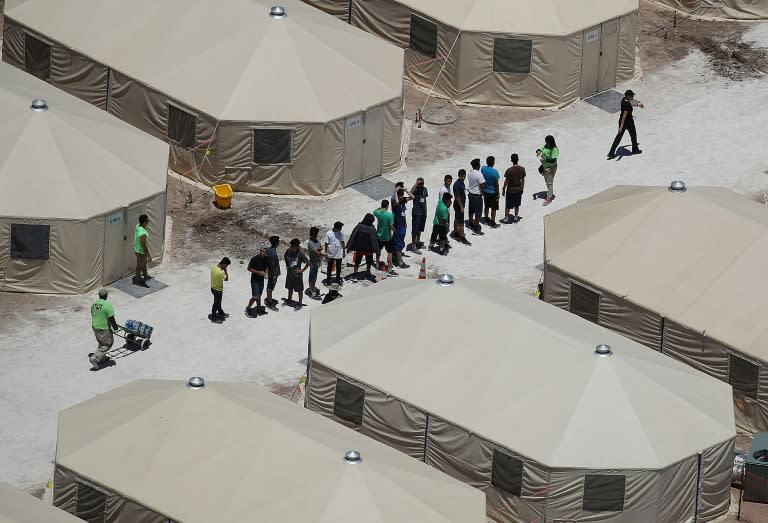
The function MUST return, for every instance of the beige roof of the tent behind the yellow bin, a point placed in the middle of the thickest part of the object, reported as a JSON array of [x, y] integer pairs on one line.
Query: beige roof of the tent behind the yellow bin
[[233, 63]]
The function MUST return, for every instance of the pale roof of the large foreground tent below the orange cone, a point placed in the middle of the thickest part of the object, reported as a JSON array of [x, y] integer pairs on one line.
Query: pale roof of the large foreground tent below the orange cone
[[523, 374]]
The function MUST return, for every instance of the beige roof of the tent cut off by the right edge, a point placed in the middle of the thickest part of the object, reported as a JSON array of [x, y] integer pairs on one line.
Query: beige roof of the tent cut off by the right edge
[[695, 257]]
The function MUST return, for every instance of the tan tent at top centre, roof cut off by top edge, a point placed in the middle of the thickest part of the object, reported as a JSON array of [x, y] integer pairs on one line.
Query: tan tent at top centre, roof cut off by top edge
[[535, 53]]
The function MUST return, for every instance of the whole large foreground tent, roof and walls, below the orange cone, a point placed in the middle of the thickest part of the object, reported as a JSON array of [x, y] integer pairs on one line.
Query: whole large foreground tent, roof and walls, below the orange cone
[[514, 401]]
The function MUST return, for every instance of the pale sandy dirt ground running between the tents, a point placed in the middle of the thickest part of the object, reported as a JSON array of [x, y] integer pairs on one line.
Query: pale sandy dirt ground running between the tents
[[704, 121]]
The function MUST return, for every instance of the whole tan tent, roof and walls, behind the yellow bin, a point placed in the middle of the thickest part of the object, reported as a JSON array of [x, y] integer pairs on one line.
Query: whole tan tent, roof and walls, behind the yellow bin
[[295, 104]]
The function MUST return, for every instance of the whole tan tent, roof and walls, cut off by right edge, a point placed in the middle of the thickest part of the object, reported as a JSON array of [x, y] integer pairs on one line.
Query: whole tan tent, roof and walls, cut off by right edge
[[682, 272]]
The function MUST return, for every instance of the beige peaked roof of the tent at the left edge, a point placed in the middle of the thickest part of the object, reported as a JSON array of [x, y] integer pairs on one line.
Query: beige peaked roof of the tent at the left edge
[[73, 161]]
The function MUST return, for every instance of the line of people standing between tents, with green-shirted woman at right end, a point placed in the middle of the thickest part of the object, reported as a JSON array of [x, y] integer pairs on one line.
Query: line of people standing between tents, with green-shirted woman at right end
[[475, 200]]
